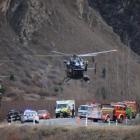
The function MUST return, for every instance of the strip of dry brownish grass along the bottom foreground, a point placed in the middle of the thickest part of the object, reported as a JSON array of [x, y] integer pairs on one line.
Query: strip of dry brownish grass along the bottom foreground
[[63, 133]]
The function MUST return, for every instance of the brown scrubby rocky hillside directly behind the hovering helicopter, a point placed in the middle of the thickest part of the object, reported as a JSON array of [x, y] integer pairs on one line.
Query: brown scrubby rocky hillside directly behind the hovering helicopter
[[29, 28]]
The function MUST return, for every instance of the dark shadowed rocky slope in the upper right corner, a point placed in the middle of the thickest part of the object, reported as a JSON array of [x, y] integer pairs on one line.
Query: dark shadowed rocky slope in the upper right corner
[[123, 16]]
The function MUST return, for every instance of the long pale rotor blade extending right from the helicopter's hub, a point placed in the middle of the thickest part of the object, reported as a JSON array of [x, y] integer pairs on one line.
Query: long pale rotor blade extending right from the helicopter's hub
[[96, 53]]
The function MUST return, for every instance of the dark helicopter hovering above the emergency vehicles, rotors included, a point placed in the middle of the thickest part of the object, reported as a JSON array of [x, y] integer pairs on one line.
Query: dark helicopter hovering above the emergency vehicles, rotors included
[[76, 66]]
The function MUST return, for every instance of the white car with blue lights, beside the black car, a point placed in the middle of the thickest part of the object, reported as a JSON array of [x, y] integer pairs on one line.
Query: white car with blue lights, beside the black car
[[29, 116]]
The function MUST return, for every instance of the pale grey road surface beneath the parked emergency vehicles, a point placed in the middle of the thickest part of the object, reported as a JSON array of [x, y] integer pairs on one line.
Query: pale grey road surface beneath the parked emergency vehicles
[[70, 122]]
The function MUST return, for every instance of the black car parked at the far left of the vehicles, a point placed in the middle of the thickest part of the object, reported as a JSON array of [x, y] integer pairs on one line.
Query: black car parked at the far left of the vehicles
[[13, 115]]
